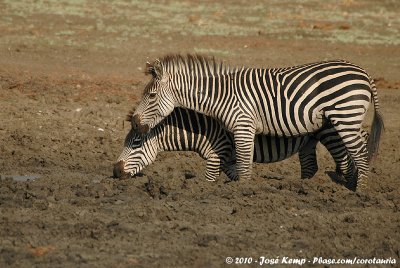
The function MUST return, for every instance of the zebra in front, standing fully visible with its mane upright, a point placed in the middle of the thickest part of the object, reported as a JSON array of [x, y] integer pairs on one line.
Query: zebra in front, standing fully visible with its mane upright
[[285, 102]]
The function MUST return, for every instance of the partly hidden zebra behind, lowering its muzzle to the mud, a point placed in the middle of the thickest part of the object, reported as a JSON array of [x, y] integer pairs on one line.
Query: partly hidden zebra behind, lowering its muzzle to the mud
[[186, 130]]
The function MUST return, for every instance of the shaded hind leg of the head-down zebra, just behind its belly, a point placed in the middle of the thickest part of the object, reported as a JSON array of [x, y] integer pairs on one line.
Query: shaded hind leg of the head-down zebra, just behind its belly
[[308, 159]]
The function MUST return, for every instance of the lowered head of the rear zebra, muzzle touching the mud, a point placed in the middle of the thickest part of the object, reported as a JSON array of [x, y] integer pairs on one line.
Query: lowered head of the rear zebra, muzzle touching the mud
[[139, 151]]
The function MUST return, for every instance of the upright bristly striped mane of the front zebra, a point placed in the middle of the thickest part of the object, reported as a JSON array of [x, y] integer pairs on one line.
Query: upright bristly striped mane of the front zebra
[[189, 63]]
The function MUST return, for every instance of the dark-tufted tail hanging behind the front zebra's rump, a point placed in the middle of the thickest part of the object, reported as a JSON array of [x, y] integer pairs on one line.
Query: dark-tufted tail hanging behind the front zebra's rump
[[377, 125]]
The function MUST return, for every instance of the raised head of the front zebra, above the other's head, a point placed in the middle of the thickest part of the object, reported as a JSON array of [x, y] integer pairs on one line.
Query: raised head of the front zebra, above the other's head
[[157, 101]]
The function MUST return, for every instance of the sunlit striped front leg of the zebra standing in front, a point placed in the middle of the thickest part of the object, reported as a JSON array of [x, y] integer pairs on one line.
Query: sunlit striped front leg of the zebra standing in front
[[244, 146]]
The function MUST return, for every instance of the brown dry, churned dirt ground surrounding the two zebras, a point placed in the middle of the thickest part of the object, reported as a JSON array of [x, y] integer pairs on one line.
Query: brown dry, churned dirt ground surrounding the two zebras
[[71, 70]]
